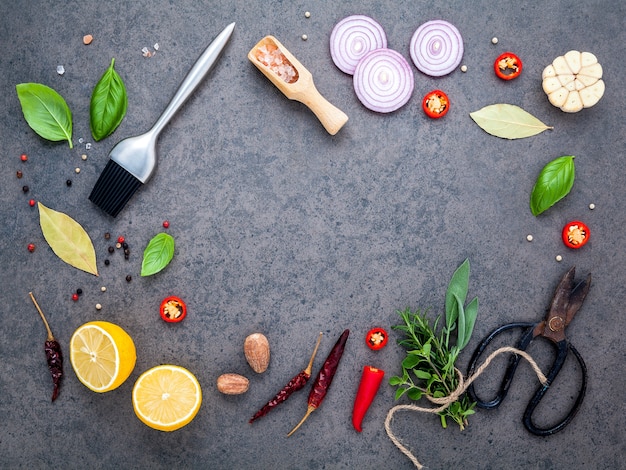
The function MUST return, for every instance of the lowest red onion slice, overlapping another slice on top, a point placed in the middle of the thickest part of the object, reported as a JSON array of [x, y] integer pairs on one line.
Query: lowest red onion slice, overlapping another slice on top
[[383, 80]]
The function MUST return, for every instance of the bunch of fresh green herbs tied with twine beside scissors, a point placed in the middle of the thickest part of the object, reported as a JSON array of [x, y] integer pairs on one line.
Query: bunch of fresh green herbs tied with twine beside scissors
[[428, 369]]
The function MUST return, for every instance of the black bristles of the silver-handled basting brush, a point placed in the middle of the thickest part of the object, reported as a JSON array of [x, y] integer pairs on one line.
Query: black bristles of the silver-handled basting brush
[[114, 188]]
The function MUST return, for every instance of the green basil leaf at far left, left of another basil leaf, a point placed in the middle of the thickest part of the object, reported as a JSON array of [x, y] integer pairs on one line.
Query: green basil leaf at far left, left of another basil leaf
[[45, 111]]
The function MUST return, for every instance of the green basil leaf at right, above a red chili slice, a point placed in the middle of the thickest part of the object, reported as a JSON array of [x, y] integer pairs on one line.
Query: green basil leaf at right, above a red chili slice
[[553, 183]]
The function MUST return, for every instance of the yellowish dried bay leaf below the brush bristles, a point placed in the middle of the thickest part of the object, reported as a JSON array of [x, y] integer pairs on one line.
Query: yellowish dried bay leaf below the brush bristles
[[68, 239]]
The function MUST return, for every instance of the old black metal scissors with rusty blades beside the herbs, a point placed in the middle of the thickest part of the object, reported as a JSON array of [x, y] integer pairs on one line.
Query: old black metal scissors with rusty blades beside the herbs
[[567, 300]]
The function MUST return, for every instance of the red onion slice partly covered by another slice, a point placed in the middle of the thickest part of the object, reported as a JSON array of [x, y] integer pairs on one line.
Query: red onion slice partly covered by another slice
[[352, 38]]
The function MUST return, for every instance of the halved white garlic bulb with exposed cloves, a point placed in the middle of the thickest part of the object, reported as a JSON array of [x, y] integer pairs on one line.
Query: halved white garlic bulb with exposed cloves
[[573, 81]]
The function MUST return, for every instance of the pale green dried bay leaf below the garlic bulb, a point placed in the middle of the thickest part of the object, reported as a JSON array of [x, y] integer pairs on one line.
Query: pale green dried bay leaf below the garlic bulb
[[508, 121]]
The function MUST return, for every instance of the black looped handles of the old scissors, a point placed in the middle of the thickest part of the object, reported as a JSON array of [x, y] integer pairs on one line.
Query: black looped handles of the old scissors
[[562, 350]]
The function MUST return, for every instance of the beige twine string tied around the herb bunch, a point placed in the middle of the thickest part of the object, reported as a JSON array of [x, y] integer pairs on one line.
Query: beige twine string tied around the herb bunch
[[446, 401]]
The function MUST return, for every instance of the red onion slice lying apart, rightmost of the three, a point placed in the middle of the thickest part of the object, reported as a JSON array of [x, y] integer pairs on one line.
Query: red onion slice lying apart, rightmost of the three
[[436, 48]]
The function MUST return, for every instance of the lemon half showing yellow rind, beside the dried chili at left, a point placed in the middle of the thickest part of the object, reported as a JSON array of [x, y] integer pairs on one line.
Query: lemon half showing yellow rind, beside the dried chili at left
[[103, 355]]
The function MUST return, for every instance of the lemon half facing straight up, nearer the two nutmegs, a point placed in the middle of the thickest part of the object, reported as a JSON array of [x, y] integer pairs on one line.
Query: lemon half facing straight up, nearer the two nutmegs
[[167, 397]]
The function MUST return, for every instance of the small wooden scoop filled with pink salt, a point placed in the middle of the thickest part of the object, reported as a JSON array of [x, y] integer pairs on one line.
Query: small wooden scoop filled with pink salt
[[295, 81]]
